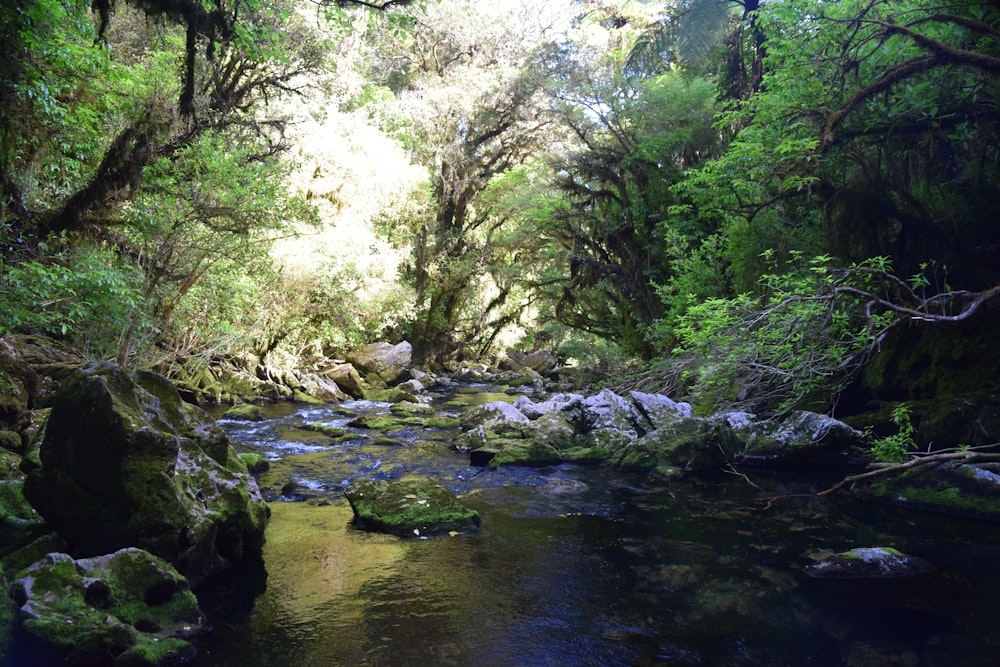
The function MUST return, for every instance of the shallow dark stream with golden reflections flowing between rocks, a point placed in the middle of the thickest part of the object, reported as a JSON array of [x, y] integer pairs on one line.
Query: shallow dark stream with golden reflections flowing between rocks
[[578, 565]]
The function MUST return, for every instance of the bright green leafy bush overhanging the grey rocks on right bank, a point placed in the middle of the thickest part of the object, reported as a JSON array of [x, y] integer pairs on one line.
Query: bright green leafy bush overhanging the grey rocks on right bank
[[795, 346]]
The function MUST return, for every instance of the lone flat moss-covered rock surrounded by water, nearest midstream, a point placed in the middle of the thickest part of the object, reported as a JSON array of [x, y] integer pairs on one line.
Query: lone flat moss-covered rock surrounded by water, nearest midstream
[[409, 508]]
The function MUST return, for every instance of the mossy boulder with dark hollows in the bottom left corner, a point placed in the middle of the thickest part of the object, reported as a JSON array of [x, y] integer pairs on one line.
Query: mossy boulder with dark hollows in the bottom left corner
[[126, 608]]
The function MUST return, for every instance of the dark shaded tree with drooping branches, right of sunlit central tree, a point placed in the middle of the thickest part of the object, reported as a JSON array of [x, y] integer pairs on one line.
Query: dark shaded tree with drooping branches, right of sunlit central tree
[[635, 139]]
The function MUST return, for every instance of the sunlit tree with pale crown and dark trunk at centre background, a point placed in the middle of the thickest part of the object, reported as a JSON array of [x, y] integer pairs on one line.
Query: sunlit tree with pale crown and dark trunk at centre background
[[469, 105]]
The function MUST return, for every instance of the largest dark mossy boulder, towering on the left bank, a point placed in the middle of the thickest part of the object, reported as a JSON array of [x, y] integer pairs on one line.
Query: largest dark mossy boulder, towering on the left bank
[[126, 463]]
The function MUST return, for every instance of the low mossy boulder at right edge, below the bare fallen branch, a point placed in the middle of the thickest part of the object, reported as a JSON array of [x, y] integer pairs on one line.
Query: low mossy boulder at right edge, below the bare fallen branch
[[948, 487]]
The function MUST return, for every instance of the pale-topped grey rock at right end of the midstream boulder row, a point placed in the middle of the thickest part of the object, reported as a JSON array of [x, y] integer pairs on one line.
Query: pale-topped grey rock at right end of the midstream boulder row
[[795, 439]]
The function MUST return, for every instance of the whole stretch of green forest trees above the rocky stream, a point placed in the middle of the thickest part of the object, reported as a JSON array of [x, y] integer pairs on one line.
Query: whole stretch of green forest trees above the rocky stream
[[747, 198]]
